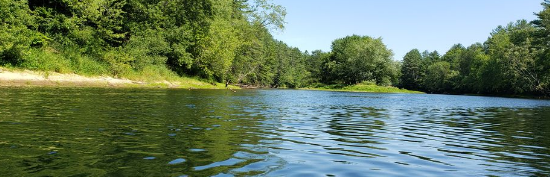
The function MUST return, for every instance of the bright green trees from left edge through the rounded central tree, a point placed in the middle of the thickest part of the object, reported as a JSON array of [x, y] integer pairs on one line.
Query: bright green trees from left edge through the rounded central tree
[[218, 40]]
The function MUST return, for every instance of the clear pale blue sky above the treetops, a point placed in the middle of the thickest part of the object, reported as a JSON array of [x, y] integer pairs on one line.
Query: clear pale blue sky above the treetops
[[402, 24]]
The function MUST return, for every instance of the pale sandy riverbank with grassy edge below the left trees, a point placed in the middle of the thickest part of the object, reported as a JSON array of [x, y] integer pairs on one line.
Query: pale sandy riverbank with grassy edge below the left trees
[[19, 77]]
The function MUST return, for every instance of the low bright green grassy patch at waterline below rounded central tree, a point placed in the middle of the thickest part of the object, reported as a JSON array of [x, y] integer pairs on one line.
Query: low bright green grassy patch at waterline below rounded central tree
[[361, 87]]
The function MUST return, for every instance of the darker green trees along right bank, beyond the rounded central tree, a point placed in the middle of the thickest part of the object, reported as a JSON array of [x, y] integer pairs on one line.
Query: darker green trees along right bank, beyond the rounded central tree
[[513, 61]]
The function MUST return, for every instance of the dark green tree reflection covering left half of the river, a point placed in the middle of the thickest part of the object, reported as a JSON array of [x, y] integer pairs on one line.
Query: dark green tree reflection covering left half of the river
[[64, 132]]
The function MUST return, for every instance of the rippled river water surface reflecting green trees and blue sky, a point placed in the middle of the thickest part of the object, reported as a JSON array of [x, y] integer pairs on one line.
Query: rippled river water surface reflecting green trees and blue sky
[[139, 132]]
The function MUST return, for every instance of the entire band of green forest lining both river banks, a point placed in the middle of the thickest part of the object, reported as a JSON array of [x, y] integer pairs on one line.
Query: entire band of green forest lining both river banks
[[230, 41]]
